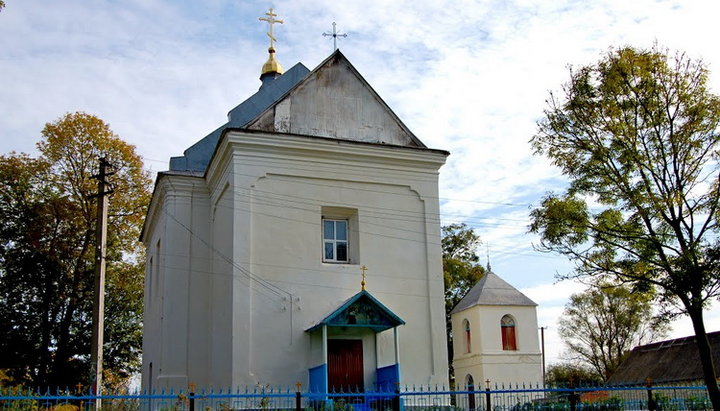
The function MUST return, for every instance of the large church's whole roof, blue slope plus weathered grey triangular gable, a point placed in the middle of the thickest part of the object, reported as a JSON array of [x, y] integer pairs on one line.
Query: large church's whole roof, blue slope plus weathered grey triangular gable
[[332, 101]]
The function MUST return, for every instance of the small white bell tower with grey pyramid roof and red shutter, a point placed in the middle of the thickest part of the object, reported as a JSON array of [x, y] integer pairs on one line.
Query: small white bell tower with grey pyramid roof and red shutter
[[495, 336]]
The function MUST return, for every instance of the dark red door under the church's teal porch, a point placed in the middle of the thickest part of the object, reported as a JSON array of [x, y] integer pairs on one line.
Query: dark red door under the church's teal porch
[[345, 370]]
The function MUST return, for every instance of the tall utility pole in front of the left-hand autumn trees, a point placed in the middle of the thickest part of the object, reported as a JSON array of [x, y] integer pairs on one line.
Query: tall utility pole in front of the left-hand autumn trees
[[99, 304]]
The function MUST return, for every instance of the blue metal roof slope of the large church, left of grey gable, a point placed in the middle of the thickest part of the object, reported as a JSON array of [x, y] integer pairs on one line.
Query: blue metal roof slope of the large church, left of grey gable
[[197, 157]]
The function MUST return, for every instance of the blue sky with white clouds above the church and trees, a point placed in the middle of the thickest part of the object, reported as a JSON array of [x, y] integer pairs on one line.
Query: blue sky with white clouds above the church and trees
[[470, 77]]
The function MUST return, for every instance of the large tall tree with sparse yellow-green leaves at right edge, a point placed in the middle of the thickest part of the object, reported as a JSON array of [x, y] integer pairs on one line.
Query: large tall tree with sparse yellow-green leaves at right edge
[[637, 134]]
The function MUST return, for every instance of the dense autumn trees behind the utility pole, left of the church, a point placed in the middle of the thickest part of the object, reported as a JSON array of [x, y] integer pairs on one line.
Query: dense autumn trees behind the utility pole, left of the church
[[47, 255]]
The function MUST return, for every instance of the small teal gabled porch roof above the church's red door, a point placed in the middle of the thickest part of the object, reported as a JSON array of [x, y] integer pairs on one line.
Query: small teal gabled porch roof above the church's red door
[[361, 310]]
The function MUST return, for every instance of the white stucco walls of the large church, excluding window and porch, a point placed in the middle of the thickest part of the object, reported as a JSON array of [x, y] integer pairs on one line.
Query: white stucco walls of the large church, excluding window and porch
[[244, 276]]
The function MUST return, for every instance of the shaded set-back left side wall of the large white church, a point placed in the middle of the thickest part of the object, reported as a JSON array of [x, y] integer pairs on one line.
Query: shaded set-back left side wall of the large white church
[[176, 291]]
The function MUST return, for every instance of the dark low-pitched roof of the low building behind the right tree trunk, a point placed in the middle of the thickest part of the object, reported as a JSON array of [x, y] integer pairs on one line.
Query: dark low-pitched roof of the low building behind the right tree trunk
[[666, 361]]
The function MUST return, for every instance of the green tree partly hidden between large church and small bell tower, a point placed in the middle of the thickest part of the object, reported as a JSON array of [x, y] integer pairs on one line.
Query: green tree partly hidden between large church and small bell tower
[[460, 272]]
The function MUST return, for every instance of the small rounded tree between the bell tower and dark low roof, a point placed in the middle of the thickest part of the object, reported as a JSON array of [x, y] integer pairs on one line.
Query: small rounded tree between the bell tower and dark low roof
[[602, 324]]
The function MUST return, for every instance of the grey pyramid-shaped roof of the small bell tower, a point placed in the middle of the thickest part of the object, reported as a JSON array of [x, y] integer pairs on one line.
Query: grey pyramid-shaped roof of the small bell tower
[[492, 290]]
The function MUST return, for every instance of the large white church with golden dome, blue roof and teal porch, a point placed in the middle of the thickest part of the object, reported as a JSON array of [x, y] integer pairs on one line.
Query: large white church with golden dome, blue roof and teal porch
[[298, 242]]
